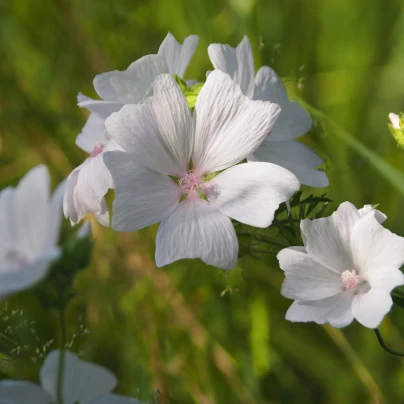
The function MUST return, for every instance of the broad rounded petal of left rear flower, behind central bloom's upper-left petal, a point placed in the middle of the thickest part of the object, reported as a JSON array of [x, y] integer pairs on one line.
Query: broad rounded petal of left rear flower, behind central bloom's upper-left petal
[[130, 86]]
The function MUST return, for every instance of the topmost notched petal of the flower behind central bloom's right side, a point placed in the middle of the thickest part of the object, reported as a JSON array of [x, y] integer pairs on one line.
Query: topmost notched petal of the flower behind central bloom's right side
[[238, 63]]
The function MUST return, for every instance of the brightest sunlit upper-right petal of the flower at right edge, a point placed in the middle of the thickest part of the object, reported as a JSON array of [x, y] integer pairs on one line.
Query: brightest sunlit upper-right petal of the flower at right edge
[[375, 247]]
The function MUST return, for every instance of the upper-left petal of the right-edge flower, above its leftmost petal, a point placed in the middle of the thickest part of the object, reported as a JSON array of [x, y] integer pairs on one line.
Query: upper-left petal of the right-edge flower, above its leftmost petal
[[327, 240]]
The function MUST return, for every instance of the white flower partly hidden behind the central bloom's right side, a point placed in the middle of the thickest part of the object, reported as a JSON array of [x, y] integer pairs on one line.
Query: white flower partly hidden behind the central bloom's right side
[[293, 121]]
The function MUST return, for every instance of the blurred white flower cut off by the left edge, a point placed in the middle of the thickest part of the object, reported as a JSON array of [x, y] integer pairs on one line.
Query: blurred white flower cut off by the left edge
[[29, 225]]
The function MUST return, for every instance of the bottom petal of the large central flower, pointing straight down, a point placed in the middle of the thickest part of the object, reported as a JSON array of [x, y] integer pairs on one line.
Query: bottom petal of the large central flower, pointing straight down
[[196, 229]]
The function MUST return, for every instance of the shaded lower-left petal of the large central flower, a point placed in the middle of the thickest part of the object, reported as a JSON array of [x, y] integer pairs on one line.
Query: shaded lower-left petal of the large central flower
[[142, 196]]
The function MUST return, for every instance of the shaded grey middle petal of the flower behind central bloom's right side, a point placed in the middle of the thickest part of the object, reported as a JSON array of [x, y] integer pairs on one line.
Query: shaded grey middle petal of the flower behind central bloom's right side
[[293, 121]]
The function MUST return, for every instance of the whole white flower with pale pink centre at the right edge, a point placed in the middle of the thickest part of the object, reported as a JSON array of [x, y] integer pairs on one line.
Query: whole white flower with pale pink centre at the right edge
[[346, 269]]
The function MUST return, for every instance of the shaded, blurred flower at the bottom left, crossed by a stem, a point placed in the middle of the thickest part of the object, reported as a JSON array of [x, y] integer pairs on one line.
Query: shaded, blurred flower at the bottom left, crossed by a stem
[[83, 383]]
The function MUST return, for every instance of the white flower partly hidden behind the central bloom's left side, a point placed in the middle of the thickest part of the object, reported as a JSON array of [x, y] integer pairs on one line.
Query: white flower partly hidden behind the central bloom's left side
[[89, 182]]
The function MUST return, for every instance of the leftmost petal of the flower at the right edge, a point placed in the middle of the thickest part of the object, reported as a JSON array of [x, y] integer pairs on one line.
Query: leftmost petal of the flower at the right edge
[[306, 279]]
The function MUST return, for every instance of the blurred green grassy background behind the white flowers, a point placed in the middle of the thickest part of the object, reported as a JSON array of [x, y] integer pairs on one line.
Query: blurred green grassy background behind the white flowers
[[170, 334]]
